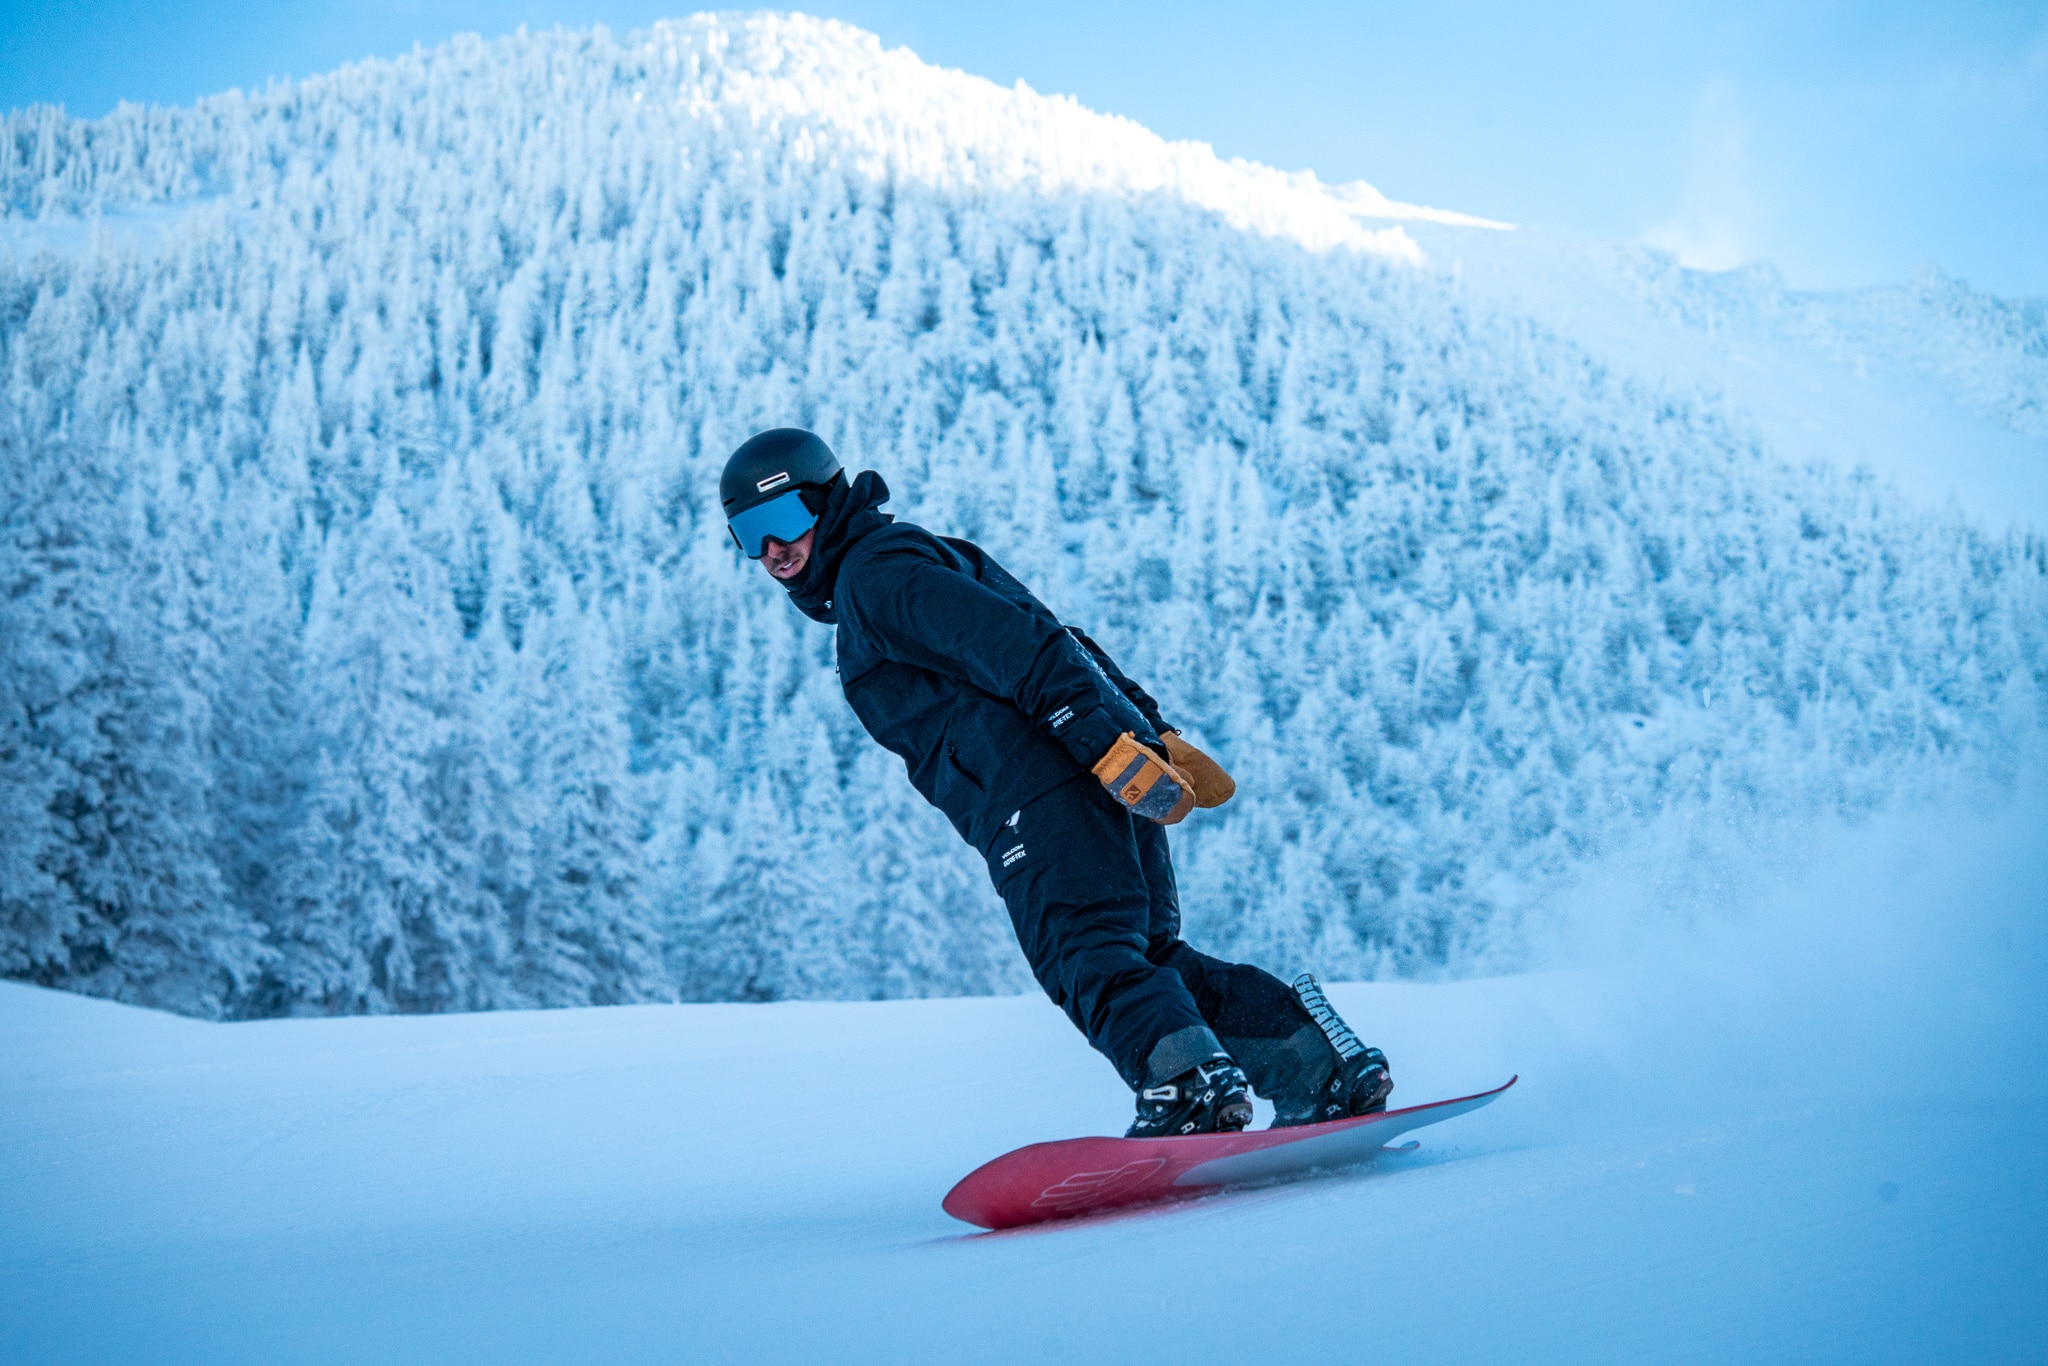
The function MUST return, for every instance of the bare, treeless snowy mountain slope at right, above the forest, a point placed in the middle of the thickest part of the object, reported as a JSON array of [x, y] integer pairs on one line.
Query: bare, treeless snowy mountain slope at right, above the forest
[[1928, 384]]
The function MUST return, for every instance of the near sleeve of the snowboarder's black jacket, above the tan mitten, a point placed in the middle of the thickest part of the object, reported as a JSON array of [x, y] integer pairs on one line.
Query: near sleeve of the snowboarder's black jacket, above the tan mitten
[[925, 613]]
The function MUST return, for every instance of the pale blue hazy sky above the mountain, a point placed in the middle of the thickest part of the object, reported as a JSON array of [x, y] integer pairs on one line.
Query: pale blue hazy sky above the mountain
[[1842, 142]]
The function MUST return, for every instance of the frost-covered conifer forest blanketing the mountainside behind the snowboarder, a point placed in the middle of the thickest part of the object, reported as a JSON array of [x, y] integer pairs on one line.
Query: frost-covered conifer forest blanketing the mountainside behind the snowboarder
[[374, 642]]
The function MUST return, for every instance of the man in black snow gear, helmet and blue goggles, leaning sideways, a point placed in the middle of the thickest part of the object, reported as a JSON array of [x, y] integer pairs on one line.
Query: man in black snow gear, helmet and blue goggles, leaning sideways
[[1062, 773]]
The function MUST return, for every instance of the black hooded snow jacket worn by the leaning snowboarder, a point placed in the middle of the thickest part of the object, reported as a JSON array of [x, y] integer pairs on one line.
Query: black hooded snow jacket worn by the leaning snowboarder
[[957, 669]]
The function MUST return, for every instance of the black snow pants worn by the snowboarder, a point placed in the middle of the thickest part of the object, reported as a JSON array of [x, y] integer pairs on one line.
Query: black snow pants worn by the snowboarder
[[1091, 892]]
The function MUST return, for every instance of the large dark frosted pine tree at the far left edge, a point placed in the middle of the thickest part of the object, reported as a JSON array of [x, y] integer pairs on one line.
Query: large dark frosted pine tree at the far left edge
[[108, 755]]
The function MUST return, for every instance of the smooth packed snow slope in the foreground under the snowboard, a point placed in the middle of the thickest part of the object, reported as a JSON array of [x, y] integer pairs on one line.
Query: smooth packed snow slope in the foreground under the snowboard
[[1809, 1134]]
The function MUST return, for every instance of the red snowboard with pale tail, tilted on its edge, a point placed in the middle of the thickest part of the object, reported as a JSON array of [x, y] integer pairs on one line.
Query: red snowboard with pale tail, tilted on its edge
[[1054, 1181]]
